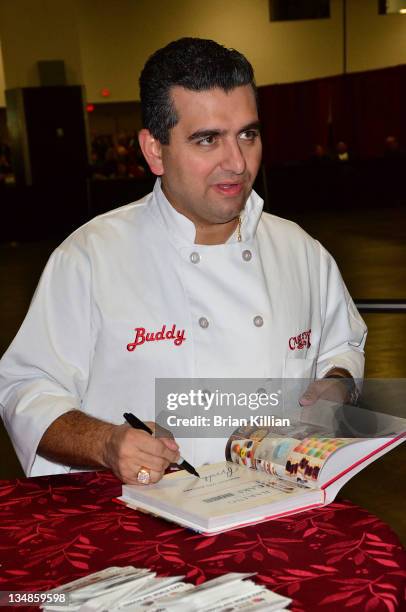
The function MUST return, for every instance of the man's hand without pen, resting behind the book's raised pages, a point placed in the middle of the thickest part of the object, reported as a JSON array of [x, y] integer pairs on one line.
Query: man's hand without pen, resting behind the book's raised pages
[[335, 387]]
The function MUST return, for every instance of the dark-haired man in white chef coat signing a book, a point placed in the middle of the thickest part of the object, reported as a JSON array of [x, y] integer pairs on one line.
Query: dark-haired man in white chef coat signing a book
[[192, 281]]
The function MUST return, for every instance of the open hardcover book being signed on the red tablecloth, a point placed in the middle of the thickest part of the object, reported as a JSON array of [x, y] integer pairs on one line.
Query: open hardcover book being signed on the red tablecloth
[[265, 476]]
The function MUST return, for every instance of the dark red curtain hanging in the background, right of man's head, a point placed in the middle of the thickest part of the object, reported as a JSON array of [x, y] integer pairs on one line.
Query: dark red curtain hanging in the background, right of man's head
[[359, 108]]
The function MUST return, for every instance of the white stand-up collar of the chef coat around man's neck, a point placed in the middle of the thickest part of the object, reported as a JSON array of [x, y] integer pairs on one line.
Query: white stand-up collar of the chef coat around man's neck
[[183, 230]]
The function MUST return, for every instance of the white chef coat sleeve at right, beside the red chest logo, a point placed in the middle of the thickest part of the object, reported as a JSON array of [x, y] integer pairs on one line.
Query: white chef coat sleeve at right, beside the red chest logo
[[343, 332]]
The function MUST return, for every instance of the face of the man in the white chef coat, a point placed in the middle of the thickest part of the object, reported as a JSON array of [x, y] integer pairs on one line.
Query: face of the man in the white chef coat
[[213, 154]]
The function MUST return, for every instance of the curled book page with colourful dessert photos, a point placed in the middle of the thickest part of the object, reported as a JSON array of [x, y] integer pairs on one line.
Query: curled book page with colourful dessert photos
[[298, 457]]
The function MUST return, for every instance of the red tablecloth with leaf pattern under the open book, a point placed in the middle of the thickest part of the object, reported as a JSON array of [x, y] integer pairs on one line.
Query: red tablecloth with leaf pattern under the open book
[[54, 529]]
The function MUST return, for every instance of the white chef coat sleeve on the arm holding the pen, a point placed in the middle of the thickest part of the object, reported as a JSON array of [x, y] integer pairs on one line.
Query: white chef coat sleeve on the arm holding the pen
[[45, 371]]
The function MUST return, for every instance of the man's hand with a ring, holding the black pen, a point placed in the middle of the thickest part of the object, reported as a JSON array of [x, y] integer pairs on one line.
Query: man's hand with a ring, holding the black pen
[[128, 450]]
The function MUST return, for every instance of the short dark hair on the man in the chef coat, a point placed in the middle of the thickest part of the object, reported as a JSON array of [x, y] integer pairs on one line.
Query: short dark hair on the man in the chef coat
[[195, 64]]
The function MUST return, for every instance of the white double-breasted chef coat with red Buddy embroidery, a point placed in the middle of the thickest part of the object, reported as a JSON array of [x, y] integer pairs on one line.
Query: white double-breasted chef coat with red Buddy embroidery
[[243, 308]]
